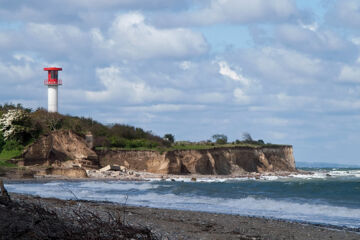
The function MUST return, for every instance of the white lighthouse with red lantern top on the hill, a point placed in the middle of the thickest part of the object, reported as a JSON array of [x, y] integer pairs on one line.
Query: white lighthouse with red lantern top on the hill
[[53, 82]]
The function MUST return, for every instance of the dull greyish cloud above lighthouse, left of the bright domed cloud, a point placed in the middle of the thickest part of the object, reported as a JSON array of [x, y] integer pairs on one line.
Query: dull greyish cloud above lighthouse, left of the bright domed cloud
[[49, 41]]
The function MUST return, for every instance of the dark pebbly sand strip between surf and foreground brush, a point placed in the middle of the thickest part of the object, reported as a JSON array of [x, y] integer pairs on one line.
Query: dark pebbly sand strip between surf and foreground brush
[[174, 224]]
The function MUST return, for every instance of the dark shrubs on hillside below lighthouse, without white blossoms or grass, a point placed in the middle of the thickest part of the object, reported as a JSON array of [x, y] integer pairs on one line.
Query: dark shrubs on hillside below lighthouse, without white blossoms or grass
[[42, 122]]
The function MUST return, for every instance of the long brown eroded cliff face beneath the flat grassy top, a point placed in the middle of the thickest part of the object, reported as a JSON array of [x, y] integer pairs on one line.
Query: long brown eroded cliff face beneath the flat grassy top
[[222, 161]]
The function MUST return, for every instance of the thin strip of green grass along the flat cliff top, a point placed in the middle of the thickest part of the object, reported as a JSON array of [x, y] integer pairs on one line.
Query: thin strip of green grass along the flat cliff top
[[195, 147]]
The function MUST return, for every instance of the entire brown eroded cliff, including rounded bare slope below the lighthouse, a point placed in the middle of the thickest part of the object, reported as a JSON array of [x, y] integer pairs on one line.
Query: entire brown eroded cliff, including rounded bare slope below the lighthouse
[[65, 149]]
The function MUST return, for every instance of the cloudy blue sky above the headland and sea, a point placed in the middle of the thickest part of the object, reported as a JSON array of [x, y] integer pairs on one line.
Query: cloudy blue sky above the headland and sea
[[285, 71]]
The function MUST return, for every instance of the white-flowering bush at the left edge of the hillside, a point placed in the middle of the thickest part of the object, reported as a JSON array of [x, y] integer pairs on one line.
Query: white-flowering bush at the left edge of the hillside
[[15, 124]]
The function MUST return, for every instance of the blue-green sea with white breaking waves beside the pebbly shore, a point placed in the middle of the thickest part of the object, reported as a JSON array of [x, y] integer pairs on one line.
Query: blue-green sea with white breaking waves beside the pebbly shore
[[329, 196]]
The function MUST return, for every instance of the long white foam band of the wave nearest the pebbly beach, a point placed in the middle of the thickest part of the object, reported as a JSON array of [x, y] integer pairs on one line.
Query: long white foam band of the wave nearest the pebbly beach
[[325, 214]]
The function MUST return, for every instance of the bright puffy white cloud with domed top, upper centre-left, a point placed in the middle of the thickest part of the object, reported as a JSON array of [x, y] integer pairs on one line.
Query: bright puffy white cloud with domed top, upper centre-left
[[131, 37]]
